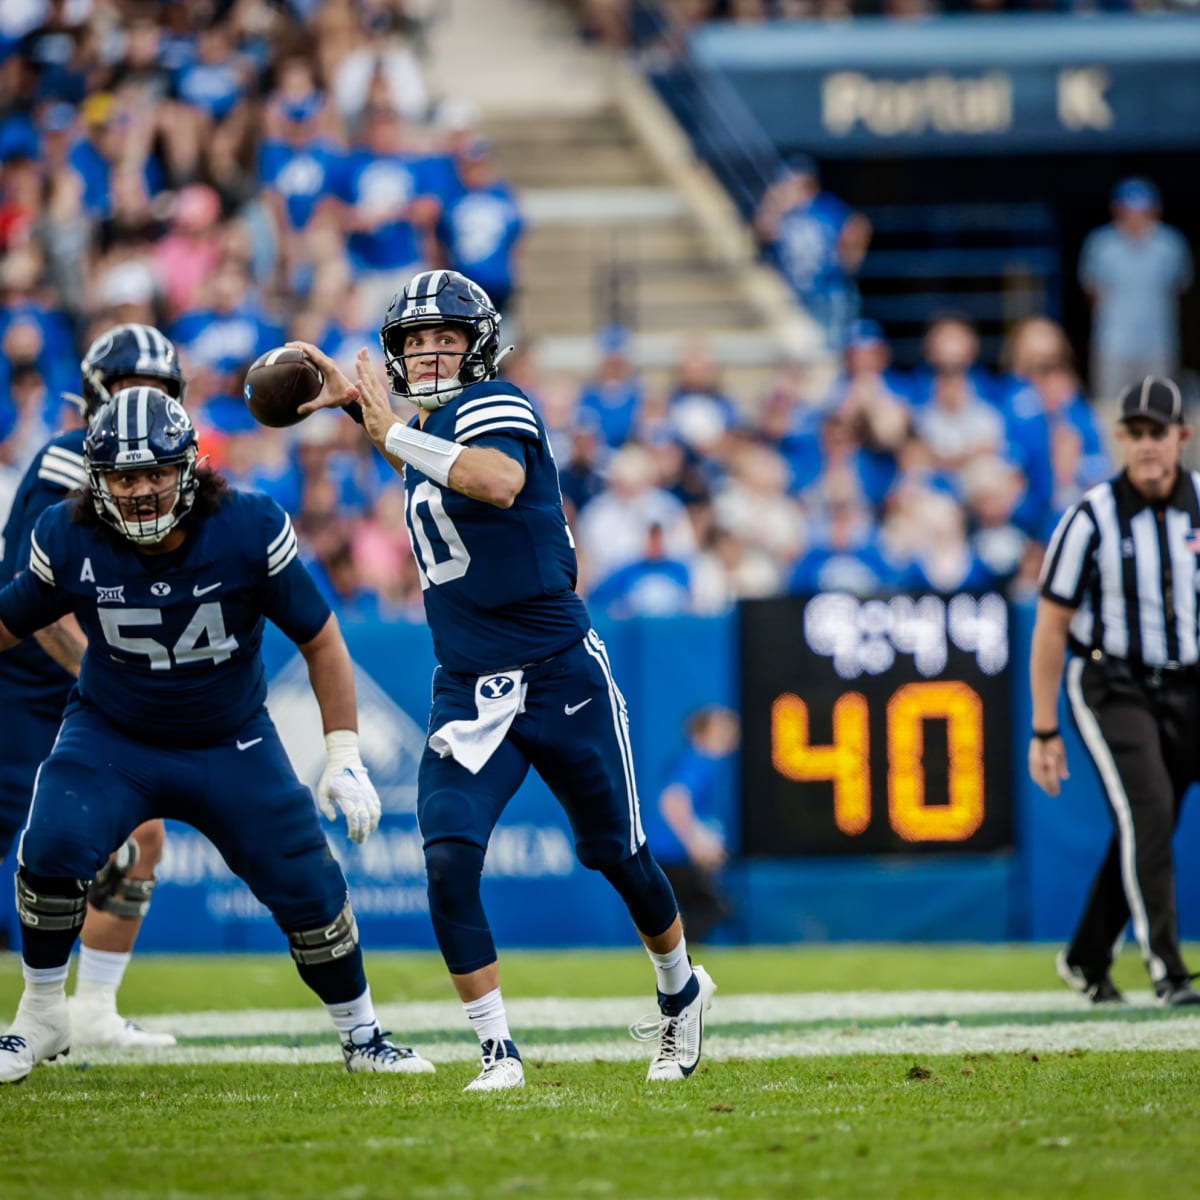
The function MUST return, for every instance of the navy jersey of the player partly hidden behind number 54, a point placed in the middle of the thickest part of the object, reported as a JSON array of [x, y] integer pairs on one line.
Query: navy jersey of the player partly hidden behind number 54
[[28, 675]]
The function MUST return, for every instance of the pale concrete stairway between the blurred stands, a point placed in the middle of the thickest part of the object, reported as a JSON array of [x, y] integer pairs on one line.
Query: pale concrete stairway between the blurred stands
[[623, 223]]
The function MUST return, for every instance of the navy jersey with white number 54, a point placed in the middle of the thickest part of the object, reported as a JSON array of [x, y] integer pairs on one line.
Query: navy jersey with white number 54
[[173, 640]]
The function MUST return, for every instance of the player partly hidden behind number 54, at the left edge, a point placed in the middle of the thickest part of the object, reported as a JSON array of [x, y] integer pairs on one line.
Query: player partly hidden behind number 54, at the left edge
[[37, 679]]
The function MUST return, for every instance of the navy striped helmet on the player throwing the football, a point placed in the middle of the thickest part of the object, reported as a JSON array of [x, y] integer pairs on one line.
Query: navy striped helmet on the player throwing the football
[[442, 298]]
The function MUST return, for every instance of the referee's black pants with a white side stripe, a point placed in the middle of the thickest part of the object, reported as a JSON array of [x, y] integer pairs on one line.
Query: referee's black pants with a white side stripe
[[1144, 737]]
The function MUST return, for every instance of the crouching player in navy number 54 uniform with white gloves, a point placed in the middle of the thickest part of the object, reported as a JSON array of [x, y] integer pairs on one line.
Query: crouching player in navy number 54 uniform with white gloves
[[172, 574]]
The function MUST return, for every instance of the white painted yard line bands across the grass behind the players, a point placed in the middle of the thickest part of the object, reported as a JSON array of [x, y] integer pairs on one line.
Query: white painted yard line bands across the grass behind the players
[[428, 1024]]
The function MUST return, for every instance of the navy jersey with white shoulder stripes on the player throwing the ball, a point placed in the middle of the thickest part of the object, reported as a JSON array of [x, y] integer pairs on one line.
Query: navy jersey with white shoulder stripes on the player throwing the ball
[[499, 584]]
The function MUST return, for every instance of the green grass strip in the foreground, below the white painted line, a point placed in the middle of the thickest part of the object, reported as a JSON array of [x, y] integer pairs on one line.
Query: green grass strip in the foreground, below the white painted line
[[1093, 1126]]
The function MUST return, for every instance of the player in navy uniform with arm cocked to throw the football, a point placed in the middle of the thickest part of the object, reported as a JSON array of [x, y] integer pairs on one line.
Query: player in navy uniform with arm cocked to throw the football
[[523, 679]]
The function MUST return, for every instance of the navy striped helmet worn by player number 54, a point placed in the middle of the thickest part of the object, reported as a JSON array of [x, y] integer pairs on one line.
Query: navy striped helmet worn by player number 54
[[139, 430]]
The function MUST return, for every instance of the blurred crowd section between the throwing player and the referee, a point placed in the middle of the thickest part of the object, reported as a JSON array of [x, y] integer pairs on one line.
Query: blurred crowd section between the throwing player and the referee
[[947, 478]]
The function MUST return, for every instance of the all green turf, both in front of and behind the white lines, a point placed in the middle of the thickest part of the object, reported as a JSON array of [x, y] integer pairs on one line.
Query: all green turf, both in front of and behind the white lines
[[1041, 1127]]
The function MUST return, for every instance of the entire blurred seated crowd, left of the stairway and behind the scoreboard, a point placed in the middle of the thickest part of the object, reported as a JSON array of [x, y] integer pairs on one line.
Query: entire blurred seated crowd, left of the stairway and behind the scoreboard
[[239, 175]]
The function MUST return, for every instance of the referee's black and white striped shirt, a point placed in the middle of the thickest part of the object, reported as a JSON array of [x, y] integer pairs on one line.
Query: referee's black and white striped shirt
[[1130, 567]]
